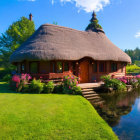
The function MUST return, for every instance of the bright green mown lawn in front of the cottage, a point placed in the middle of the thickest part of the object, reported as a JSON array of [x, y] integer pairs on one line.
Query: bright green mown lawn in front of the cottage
[[49, 117]]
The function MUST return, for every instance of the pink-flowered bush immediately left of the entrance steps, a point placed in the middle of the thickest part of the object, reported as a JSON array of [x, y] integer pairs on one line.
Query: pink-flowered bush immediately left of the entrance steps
[[70, 85]]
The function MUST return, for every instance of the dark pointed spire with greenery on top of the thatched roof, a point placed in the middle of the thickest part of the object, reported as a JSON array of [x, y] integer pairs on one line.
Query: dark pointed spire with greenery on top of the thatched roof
[[93, 25]]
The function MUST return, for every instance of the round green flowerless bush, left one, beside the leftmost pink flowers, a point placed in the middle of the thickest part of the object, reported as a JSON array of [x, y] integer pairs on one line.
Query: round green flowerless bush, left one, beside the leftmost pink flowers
[[36, 86]]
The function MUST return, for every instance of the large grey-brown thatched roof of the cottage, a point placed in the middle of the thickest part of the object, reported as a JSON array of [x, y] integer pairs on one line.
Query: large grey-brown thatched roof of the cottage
[[52, 42]]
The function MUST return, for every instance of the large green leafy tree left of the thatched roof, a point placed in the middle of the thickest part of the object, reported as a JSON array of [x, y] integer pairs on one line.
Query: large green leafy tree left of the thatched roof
[[16, 34]]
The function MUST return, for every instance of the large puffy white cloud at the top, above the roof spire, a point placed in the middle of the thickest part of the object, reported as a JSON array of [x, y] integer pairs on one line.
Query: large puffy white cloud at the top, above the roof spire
[[88, 5]]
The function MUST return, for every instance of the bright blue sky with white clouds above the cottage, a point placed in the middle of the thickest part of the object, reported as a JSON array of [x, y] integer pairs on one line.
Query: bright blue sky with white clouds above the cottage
[[120, 19]]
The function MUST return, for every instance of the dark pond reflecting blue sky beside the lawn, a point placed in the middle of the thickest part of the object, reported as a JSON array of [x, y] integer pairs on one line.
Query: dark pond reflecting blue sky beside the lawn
[[122, 112]]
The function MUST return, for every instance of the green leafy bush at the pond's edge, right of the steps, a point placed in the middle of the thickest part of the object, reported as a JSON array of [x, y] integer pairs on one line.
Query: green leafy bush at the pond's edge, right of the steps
[[113, 83]]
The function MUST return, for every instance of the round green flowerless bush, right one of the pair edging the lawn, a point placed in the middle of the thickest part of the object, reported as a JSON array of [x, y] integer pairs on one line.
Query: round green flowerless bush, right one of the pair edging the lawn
[[49, 87]]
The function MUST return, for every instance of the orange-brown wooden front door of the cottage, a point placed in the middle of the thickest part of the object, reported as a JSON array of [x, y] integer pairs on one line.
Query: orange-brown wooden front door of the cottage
[[84, 72]]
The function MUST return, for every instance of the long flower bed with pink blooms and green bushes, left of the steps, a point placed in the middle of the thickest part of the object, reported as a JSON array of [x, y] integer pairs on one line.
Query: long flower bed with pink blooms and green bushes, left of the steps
[[25, 84]]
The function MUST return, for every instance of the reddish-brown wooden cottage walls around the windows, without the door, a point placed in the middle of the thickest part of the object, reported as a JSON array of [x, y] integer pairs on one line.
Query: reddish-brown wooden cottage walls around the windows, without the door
[[44, 67]]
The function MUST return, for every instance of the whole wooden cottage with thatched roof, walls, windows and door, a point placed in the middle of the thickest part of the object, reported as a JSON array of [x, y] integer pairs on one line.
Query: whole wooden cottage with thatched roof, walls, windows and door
[[54, 51]]
